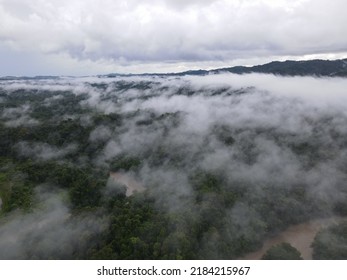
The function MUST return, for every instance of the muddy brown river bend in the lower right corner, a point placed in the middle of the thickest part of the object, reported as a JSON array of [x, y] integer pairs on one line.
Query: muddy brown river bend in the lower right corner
[[299, 236]]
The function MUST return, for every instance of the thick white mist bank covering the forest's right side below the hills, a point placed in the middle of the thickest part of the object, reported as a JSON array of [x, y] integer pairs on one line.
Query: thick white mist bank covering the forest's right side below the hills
[[261, 131]]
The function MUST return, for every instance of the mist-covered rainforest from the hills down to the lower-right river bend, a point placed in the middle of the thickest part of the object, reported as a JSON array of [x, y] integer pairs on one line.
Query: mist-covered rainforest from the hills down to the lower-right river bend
[[151, 167]]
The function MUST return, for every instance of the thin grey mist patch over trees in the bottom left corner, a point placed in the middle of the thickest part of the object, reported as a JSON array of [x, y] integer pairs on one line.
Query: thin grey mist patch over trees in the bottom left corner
[[48, 232]]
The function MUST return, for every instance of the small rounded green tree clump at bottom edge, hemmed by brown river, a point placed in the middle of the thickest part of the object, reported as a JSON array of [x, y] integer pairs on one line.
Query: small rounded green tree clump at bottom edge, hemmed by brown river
[[283, 251]]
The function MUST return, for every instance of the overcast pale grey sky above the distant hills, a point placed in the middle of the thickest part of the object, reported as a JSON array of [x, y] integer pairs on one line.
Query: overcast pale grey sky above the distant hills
[[86, 37]]
